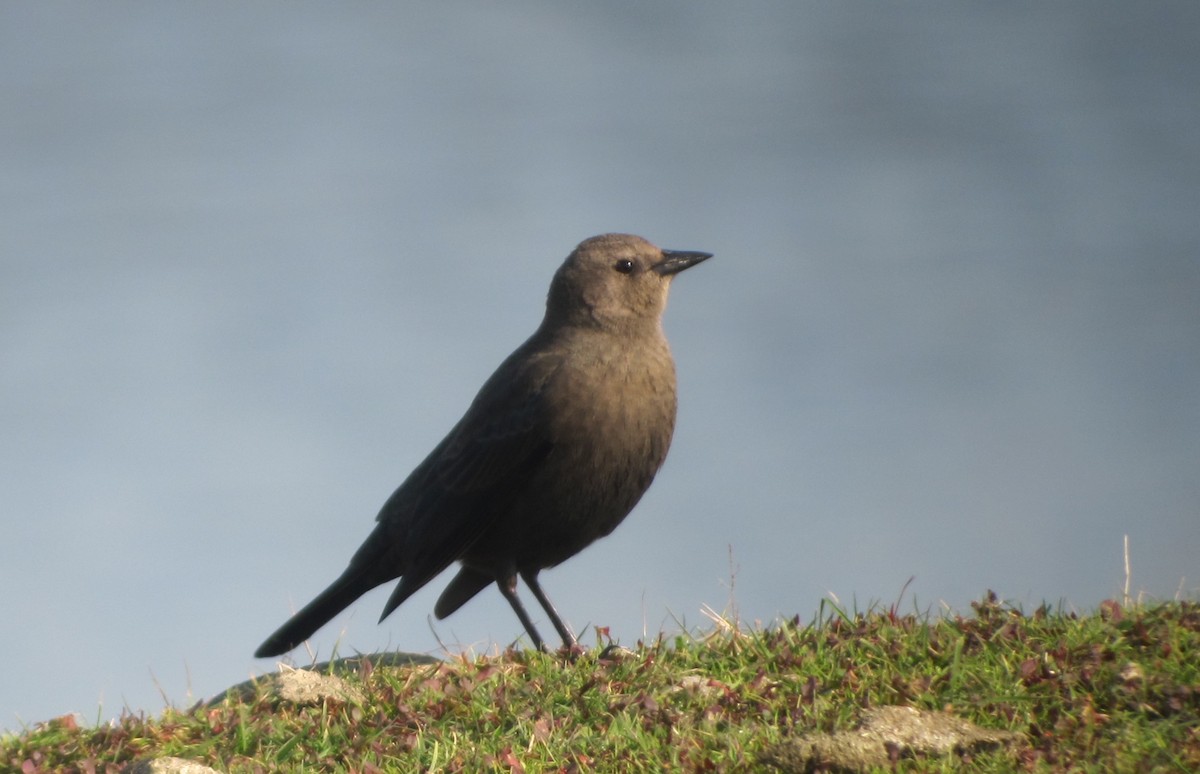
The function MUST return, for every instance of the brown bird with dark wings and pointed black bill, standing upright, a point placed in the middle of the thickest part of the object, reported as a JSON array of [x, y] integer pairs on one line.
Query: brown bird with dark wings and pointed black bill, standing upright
[[554, 453]]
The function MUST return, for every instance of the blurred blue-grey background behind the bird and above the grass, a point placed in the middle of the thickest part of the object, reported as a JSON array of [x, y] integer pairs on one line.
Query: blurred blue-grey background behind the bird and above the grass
[[257, 260]]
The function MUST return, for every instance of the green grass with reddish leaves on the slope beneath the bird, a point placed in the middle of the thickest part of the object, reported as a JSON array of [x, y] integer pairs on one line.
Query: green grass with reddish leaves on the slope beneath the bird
[[1117, 691]]
